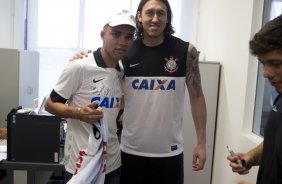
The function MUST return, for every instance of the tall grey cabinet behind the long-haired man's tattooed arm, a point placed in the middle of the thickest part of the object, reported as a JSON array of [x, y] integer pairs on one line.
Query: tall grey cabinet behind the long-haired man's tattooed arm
[[210, 83]]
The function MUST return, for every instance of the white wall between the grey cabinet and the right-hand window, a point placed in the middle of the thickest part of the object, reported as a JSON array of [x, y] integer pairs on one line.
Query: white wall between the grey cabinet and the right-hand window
[[225, 27]]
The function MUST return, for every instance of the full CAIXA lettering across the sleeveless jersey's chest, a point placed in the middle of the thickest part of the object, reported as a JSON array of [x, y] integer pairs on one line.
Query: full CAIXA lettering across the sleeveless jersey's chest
[[152, 84]]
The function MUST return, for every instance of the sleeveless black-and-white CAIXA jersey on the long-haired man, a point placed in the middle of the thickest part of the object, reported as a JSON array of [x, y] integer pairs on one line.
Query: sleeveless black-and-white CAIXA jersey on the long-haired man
[[154, 98]]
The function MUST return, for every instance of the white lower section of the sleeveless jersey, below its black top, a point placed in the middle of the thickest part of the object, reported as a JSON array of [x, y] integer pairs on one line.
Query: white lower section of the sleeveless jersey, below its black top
[[154, 127]]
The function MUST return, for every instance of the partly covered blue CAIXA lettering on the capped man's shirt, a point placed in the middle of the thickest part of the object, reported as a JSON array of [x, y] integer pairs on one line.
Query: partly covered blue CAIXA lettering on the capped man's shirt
[[107, 102]]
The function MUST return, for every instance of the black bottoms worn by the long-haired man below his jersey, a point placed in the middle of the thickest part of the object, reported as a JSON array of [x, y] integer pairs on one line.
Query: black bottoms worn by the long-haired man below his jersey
[[151, 170]]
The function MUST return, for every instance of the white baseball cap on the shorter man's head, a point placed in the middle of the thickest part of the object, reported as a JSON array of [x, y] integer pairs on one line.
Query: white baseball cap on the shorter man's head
[[123, 17]]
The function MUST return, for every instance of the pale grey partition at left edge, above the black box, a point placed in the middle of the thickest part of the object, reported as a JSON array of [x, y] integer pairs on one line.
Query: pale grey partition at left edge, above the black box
[[19, 80]]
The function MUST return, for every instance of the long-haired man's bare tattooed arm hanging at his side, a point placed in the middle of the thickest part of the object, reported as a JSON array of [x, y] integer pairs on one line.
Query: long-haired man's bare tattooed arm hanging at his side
[[198, 106]]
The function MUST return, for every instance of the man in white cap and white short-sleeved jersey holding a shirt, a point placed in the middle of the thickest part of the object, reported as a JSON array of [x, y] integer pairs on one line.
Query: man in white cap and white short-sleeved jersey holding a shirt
[[86, 83]]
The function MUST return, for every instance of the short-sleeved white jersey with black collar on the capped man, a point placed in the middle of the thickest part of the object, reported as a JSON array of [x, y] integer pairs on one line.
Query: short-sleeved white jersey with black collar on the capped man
[[83, 82]]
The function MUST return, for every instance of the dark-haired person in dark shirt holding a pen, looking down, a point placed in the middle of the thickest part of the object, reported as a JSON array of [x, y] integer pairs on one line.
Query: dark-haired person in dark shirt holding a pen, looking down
[[266, 45]]
